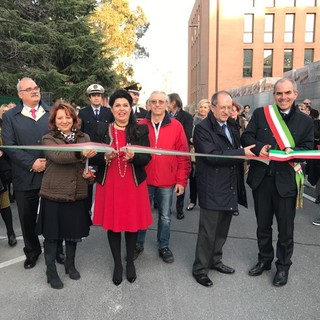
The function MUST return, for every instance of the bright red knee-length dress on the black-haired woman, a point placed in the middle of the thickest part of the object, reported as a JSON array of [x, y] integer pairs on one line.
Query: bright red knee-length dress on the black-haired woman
[[121, 205]]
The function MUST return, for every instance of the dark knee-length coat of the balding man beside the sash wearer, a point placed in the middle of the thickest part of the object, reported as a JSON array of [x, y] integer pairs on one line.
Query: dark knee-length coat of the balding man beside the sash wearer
[[220, 181]]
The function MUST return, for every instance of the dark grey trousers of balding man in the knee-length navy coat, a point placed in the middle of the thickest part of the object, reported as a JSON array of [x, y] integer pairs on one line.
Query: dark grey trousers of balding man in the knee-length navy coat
[[213, 231]]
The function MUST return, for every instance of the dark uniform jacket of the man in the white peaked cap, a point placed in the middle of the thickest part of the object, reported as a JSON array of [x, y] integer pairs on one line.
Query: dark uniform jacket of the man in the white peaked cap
[[89, 122]]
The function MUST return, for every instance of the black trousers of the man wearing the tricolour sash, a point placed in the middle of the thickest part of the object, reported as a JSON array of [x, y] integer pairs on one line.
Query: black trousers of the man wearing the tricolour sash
[[267, 203]]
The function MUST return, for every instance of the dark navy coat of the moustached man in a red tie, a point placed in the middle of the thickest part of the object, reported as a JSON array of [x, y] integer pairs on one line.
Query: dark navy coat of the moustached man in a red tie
[[18, 129]]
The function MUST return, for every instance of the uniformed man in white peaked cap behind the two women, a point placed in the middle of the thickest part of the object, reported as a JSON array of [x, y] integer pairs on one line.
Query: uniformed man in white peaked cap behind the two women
[[94, 116]]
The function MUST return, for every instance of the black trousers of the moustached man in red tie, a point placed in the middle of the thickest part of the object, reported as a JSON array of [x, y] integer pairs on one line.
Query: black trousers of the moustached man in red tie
[[27, 203]]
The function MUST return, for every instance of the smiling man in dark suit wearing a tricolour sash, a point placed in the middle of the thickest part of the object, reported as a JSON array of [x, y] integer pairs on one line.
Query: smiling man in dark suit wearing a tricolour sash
[[274, 186]]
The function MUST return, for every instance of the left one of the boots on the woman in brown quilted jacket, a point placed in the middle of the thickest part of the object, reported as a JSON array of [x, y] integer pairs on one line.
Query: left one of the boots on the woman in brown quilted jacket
[[50, 249]]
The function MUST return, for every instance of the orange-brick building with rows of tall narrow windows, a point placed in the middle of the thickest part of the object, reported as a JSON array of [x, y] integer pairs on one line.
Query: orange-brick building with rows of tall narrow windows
[[236, 43]]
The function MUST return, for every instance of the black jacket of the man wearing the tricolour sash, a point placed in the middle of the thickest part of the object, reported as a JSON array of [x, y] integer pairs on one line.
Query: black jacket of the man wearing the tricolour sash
[[259, 133]]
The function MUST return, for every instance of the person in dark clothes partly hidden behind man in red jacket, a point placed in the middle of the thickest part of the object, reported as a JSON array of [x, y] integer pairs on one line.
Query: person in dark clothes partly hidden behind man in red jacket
[[175, 108]]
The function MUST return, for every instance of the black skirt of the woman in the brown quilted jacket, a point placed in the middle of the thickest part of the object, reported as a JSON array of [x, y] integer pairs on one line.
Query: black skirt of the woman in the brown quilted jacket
[[63, 220]]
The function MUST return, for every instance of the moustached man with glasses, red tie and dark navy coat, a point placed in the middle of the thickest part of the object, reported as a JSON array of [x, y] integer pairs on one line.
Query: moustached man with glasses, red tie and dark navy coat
[[25, 124]]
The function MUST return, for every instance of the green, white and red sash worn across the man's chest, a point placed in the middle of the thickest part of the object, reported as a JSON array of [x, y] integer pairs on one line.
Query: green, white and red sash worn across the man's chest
[[284, 140]]
